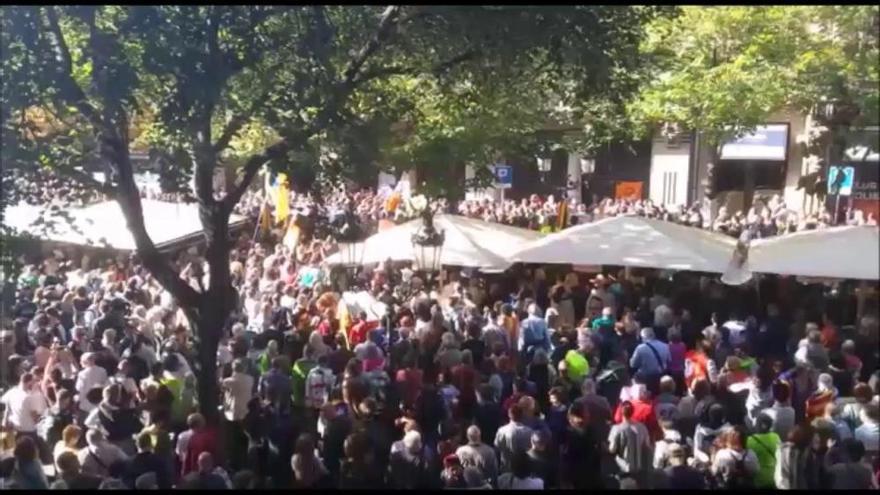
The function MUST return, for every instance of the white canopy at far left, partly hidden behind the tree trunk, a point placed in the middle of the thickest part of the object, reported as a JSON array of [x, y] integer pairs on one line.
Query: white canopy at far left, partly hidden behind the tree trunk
[[103, 224]]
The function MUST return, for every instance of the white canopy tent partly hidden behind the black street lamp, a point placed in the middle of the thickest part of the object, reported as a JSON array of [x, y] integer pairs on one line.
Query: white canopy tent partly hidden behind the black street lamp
[[469, 243]]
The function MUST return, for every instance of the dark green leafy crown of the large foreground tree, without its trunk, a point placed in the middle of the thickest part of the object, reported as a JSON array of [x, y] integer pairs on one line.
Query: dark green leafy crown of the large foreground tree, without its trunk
[[442, 84]]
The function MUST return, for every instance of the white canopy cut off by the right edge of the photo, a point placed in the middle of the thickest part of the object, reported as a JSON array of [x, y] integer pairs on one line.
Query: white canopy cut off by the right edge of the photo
[[834, 252]]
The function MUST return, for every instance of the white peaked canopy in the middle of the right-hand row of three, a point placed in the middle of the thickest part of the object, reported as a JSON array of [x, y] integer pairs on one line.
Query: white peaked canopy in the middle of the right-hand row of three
[[634, 241]]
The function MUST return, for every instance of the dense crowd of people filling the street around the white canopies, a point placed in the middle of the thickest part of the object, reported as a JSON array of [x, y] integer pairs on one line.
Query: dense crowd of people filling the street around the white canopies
[[535, 378]]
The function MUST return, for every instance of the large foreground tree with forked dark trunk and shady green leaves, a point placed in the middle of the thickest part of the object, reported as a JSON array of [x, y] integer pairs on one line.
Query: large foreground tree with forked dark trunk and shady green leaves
[[283, 86]]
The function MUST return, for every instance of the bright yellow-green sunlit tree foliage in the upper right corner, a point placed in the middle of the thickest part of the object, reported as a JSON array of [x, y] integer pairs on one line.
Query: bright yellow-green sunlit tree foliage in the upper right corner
[[724, 70]]
